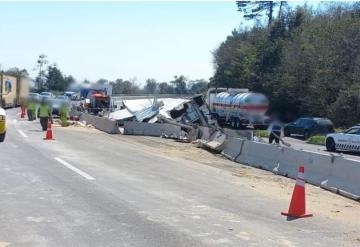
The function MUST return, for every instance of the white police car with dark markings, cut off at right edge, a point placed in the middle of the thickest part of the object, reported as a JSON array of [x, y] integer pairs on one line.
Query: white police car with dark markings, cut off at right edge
[[349, 140]]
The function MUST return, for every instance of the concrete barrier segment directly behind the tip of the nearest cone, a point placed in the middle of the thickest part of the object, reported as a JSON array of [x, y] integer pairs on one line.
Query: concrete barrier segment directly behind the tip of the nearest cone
[[317, 165]]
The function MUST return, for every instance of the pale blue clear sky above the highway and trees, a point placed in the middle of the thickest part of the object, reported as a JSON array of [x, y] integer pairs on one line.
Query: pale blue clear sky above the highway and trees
[[112, 40]]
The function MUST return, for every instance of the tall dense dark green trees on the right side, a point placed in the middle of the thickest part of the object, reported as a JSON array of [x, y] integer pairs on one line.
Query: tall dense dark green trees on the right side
[[305, 60]]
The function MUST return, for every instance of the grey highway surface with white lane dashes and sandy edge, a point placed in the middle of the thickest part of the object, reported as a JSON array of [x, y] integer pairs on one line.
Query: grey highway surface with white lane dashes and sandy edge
[[87, 188]]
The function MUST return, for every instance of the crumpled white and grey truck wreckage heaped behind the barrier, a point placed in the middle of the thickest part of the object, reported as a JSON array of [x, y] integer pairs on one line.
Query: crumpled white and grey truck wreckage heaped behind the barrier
[[180, 118]]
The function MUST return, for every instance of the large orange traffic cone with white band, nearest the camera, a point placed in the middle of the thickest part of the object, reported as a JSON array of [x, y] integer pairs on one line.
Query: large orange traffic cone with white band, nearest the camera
[[297, 204]]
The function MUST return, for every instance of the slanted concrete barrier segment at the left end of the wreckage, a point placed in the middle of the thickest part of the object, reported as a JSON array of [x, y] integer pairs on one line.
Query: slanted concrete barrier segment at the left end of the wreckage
[[101, 123]]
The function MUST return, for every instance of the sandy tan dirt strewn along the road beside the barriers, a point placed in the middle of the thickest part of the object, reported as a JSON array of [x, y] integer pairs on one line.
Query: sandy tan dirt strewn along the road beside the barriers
[[319, 201]]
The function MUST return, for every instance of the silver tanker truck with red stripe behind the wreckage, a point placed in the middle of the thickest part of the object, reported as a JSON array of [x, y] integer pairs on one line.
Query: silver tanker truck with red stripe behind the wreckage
[[239, 108]]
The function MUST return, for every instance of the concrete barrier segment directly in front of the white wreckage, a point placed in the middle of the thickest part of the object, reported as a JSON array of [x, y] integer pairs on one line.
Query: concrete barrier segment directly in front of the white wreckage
[[151, 129]]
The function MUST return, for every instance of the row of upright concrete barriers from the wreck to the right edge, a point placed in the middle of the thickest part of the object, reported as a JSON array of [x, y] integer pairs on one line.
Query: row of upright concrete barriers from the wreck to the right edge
[[330, 171]]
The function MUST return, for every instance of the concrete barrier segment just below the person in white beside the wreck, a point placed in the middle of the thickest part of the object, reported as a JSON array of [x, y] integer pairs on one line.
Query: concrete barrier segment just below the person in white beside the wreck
[[260, 155]]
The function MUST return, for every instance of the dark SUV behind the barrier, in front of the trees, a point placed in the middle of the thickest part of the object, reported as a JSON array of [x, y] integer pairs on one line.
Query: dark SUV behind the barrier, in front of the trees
[[309, 126]]
